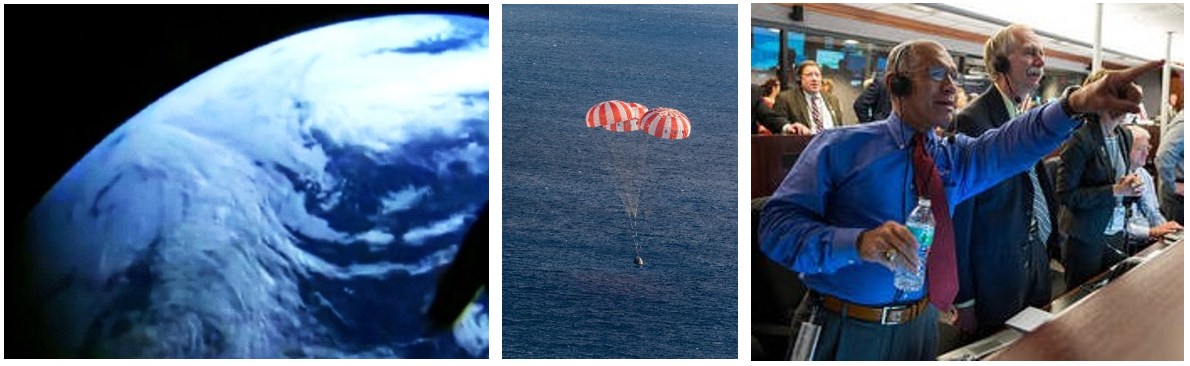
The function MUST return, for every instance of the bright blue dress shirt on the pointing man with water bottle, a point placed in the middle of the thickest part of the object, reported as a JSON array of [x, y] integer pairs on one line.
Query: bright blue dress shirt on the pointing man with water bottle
[[857, 178]]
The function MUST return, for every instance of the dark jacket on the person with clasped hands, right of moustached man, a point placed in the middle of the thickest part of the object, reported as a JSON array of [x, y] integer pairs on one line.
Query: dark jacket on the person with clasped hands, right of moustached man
[[1085, 182]]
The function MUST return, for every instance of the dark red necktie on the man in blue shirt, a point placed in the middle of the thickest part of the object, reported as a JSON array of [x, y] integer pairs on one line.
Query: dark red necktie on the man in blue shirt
[[941, 268]]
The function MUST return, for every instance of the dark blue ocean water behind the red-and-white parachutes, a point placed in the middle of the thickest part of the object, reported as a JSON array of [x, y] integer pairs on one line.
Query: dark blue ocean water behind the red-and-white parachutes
[[571, 289]]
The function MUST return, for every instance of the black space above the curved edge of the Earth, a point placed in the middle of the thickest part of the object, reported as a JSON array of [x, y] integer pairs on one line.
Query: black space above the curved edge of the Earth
[[77, 73]]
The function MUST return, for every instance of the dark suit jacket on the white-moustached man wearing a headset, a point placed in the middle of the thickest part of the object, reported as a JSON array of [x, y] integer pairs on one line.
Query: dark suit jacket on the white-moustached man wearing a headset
[[994, 251]]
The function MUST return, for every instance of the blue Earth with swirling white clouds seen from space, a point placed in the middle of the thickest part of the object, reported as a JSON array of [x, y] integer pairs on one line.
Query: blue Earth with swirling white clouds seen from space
[[298, 201]]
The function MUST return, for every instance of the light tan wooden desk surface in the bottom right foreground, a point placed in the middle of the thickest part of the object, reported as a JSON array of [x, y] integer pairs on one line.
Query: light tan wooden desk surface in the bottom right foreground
[[1139, 317]]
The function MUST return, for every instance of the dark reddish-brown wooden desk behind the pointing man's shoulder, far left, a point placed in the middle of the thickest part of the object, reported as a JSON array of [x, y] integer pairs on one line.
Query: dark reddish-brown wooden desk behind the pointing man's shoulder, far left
[[773, 156]]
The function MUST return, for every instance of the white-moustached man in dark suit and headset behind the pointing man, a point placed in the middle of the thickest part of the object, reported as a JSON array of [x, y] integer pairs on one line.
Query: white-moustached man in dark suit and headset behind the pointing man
[[1003, 235]]
